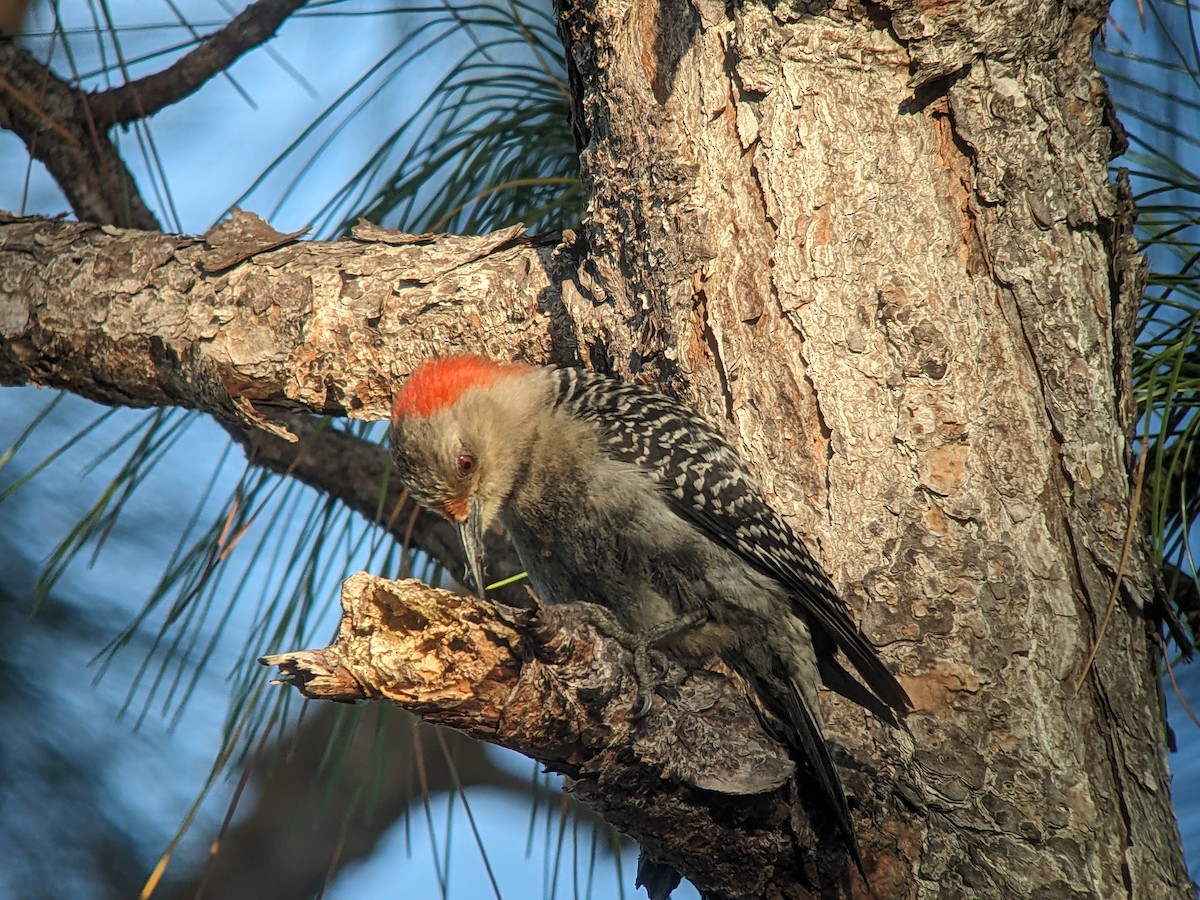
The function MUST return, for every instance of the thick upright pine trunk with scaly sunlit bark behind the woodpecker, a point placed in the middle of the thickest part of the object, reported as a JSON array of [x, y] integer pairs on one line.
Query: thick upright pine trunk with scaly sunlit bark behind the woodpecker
[[883, 244]]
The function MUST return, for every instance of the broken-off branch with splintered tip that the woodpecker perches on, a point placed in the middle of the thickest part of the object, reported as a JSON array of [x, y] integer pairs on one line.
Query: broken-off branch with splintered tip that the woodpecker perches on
[[698, 783]]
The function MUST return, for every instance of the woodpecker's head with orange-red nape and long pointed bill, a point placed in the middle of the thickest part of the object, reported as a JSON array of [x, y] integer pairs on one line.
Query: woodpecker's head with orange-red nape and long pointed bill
[[452, 441]]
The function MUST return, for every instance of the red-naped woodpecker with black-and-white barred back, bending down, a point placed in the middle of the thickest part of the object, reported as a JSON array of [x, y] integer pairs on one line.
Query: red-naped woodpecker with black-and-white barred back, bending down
[[619, 496]]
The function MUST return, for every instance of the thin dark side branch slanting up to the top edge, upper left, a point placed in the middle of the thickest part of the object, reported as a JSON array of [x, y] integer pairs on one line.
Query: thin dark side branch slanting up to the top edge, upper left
[[137, 100]]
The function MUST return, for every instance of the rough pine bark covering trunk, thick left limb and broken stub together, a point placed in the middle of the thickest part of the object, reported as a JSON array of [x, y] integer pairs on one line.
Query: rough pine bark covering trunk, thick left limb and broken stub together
[[881, 247]]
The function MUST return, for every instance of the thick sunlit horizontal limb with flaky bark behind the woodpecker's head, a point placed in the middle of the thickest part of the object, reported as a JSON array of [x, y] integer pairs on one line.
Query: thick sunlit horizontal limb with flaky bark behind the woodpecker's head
[[142, 320]]
